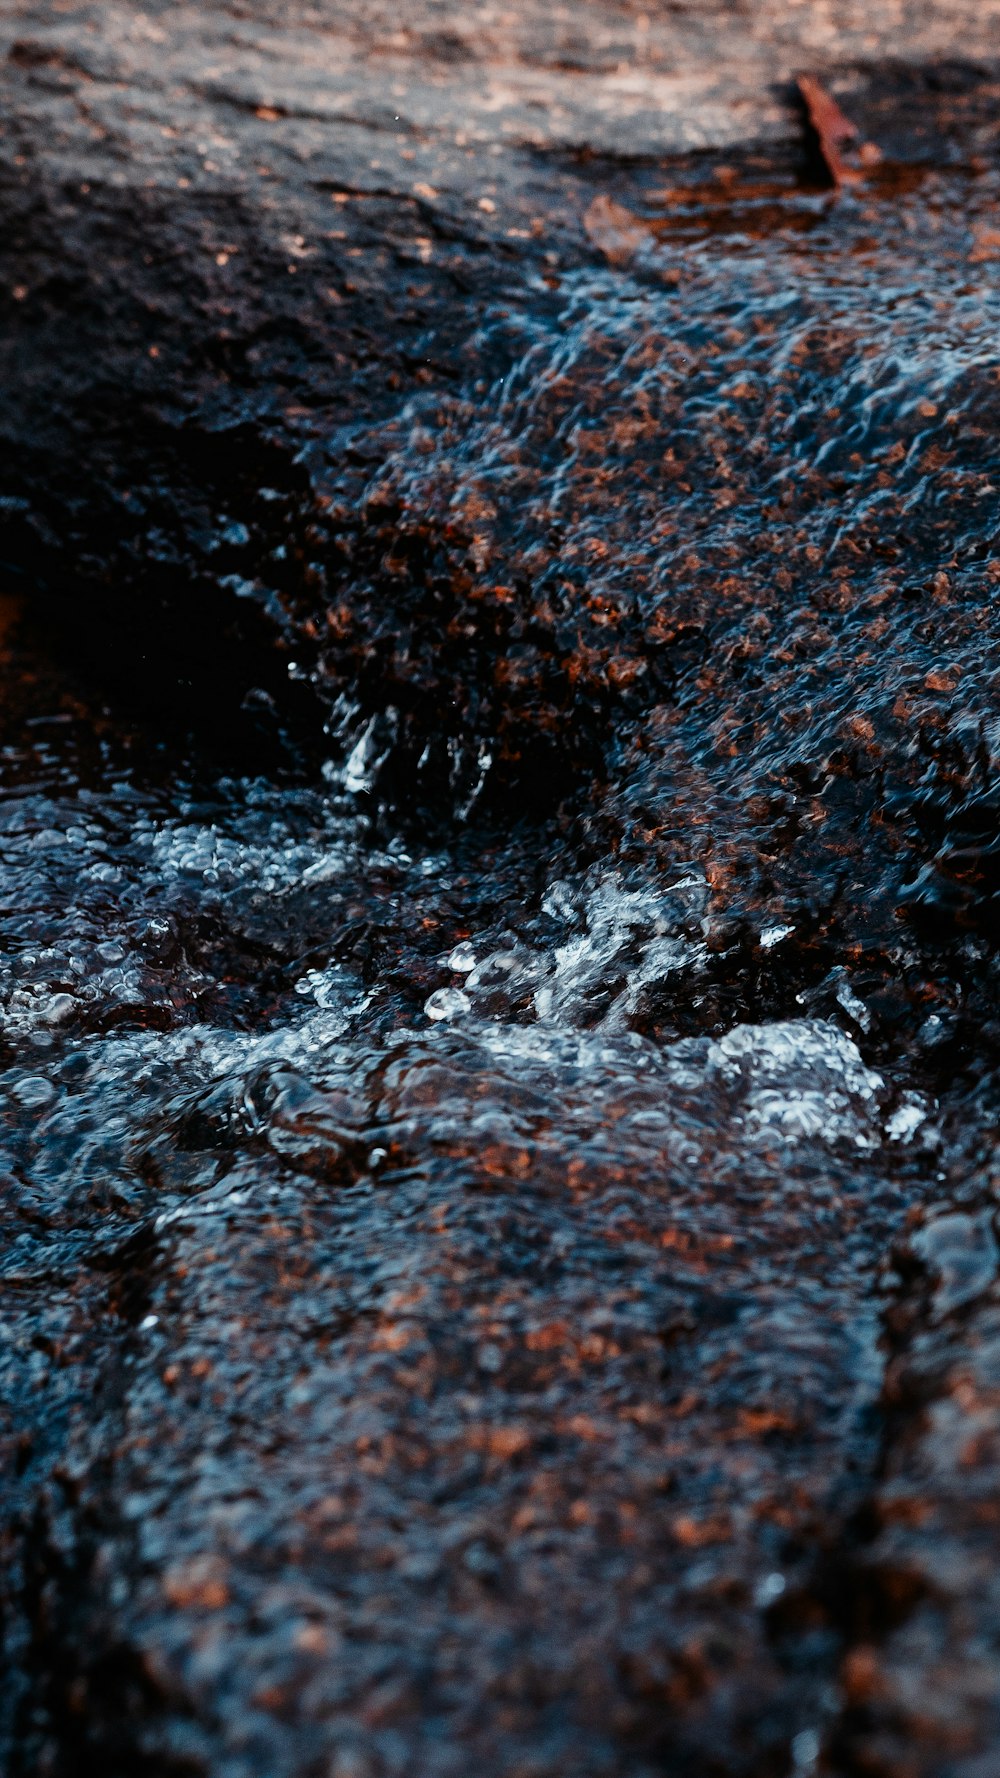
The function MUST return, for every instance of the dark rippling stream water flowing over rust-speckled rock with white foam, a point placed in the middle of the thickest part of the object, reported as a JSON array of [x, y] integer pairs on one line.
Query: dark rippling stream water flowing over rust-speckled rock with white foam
[[487, 1213]]
